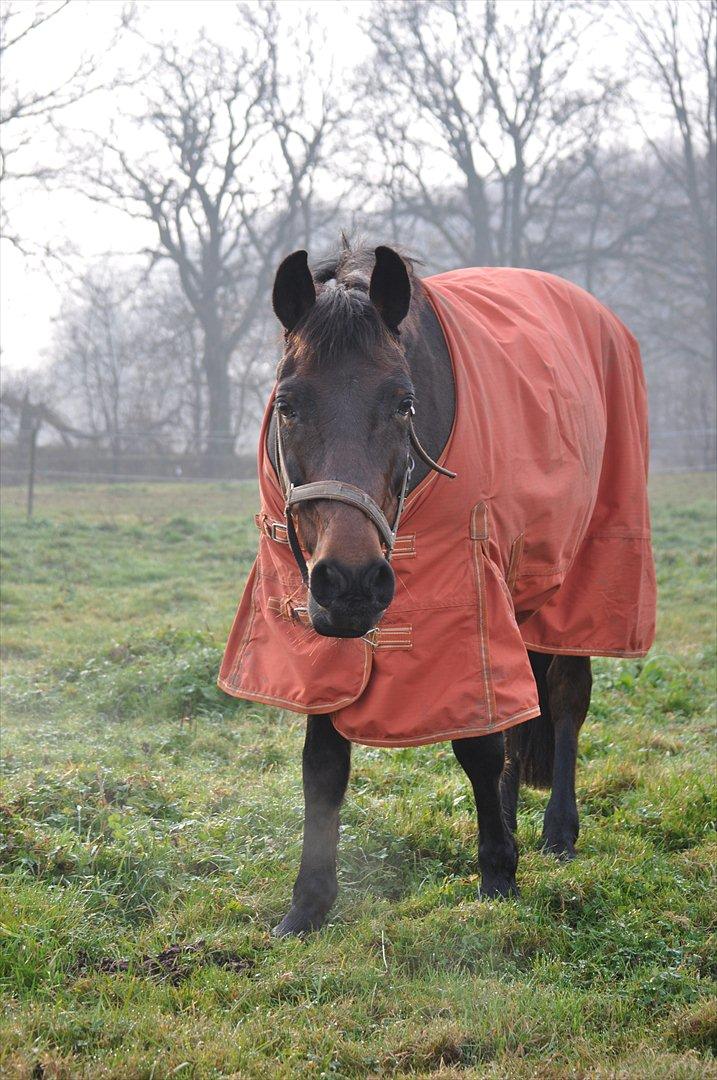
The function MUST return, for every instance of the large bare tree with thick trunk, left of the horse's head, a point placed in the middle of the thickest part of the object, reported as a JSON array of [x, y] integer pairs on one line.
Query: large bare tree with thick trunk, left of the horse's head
[[226, 177]]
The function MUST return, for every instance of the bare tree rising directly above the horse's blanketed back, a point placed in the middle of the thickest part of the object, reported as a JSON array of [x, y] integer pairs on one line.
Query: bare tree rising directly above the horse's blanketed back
[[493, 99]]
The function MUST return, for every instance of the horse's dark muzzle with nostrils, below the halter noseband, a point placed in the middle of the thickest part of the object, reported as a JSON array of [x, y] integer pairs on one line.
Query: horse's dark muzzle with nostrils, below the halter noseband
[[346, 601]]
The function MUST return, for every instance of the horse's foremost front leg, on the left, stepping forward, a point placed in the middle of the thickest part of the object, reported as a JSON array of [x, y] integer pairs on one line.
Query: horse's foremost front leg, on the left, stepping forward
[[326, 765]]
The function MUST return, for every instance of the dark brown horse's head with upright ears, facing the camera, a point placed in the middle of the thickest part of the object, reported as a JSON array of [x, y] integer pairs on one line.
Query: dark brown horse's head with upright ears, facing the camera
[[344, 408]]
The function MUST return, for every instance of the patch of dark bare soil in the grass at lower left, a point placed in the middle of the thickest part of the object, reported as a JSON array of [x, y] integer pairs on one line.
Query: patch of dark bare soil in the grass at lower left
[[172, 965]]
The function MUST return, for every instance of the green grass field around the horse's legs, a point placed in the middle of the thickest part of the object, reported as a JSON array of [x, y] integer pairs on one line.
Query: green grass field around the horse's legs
[[152, 833]]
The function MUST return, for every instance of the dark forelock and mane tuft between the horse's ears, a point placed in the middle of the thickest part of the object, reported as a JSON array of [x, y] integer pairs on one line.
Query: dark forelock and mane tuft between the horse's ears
[[344, 320]]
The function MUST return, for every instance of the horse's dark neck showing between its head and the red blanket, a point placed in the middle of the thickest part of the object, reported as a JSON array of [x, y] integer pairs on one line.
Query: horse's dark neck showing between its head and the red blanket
[[434, 380]]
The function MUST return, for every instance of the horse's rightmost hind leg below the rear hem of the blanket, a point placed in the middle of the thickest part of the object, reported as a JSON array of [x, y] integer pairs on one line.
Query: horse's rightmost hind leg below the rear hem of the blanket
[[570, 685]]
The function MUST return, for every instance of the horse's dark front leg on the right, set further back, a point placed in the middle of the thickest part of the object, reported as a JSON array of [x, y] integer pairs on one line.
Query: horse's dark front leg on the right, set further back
[[498, 855]]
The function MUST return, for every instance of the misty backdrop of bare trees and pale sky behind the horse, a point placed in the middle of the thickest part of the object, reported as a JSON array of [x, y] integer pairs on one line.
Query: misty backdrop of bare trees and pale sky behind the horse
[[159, 160]]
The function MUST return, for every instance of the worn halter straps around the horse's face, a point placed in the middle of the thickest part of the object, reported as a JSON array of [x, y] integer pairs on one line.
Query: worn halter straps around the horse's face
[[341, 492]]
